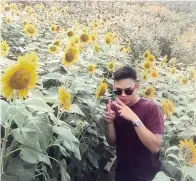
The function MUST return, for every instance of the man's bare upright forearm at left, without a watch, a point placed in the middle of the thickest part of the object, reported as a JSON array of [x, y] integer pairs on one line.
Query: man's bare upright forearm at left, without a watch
[[111, 134]]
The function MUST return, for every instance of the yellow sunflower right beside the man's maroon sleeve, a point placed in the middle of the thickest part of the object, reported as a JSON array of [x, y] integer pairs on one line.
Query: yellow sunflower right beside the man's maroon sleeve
[[168, 107]]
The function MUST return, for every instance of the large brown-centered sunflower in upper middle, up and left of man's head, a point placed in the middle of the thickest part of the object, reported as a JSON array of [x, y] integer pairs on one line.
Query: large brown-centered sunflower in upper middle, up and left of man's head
[[70, 56]]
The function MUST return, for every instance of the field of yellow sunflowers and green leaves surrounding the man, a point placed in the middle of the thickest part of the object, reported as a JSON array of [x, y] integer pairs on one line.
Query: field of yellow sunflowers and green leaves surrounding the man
[[57, 63]]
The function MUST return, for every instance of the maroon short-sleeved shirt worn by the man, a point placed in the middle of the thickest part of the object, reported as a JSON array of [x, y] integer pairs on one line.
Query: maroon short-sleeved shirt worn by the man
[[134, 161]]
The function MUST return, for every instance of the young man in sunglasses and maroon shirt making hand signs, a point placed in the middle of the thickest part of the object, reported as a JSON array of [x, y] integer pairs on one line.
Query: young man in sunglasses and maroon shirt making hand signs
[[135, 125]]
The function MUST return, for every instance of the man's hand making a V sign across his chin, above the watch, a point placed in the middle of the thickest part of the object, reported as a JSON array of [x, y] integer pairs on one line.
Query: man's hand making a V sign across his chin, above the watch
[[125, 111]]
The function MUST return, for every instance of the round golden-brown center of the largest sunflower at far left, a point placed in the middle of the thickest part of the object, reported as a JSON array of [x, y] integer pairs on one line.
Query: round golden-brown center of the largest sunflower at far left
[[20, 79]]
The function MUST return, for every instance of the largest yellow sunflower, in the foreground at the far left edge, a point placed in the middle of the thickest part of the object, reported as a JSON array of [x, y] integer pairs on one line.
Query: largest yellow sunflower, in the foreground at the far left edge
[[20, 78]]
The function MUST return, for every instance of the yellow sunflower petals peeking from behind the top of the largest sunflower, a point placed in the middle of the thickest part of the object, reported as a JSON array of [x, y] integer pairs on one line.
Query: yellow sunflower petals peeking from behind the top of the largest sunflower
[[29, 57]]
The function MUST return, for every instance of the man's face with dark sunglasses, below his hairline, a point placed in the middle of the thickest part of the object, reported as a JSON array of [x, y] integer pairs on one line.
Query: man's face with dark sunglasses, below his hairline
[[126, 90]]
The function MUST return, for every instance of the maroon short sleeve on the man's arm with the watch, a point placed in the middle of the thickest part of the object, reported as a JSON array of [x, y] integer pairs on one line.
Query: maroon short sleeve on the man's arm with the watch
[[154, 120]]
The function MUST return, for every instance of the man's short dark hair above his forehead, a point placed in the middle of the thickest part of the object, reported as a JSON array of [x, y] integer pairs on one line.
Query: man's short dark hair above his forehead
[[125, 73]]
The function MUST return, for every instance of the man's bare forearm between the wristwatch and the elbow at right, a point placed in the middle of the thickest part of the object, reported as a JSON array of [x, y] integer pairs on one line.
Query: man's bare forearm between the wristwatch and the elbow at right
[[148, 138]]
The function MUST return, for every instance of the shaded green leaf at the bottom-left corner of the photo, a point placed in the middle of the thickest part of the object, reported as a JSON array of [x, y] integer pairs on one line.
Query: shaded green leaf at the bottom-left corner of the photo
[[20, 170]]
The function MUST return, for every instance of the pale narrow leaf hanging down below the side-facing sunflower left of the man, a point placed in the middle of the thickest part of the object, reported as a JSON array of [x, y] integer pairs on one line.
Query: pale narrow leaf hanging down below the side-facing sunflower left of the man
[[70, 142]]
